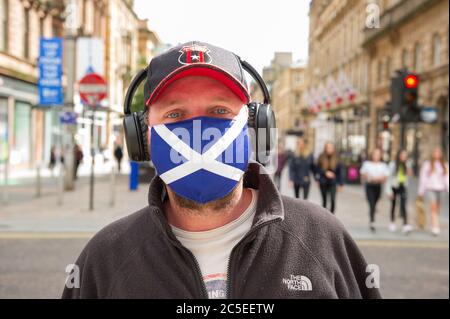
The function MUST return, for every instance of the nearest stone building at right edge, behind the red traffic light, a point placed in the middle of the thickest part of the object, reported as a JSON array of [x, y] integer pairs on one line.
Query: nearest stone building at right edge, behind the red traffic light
[[413, 34]]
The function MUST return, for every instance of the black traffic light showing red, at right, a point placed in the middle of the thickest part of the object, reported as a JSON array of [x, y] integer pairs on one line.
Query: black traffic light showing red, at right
[[404, 97]]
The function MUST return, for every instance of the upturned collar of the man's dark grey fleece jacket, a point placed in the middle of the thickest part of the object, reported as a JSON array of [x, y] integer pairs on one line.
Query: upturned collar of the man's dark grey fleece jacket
[[268, 207]]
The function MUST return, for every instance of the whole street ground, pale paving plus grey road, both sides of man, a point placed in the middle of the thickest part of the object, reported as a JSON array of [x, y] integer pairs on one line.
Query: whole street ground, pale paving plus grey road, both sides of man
[[38, 238]]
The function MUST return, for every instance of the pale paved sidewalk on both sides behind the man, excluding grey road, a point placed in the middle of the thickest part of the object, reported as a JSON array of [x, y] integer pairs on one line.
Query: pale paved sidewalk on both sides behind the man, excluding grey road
[[29, 214]]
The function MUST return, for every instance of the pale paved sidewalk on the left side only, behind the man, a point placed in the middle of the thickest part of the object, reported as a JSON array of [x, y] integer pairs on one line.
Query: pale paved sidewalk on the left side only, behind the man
[[73, 215]]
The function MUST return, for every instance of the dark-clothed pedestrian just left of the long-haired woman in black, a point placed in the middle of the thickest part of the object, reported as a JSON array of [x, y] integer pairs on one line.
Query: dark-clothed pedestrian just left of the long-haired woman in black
[[300, 168]]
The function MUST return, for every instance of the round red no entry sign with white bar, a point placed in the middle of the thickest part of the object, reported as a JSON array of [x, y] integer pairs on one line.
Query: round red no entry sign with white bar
[[93, 89]]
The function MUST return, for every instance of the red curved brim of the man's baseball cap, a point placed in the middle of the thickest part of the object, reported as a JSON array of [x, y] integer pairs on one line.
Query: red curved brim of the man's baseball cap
[[207, 70]]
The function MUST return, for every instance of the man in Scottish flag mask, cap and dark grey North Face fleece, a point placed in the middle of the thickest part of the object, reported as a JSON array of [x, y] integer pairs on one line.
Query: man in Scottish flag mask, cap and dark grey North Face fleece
[[216, 225]]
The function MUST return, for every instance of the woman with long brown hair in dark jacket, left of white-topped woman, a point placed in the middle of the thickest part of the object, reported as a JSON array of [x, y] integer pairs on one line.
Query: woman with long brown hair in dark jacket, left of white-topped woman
[[328, 174]]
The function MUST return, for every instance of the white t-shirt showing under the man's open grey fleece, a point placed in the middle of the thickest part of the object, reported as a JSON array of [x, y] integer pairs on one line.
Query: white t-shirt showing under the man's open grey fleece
[[212, 248]]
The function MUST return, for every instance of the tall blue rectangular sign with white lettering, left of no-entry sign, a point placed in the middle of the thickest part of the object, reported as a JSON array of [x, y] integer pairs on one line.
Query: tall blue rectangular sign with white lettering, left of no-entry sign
[[50, 72]]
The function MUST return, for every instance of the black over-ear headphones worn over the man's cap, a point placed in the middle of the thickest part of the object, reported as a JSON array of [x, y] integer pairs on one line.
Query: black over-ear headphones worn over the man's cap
[[261, 122]]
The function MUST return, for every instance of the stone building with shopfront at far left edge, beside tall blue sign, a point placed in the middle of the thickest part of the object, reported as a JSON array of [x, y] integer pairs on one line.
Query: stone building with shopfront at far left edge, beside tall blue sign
[[25, 129]]
